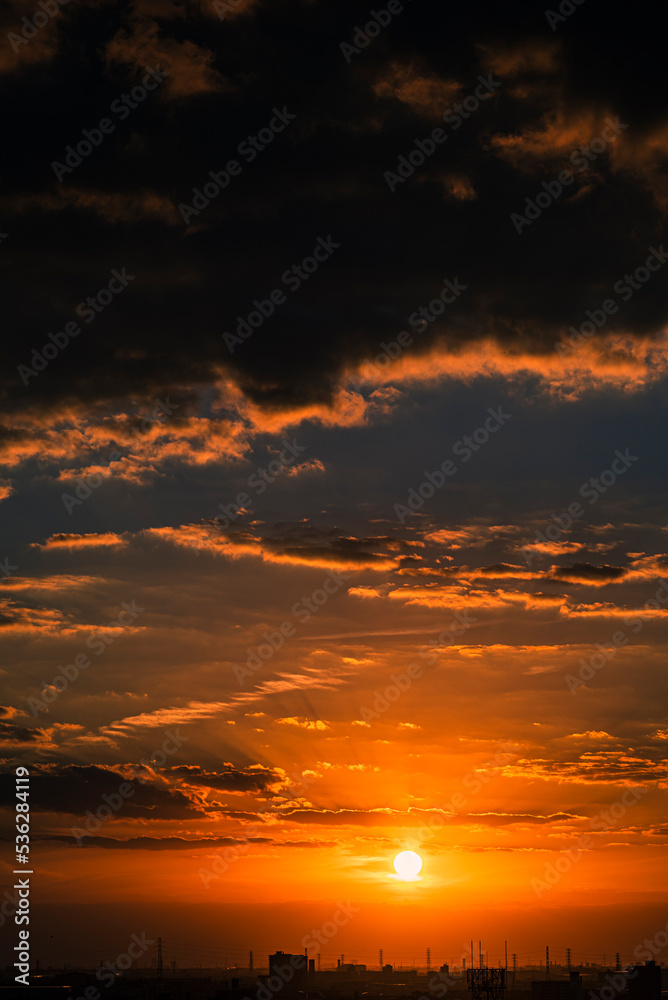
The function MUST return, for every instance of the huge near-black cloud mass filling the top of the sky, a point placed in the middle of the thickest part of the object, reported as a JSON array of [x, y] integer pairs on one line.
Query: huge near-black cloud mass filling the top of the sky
[[322, 175]]
